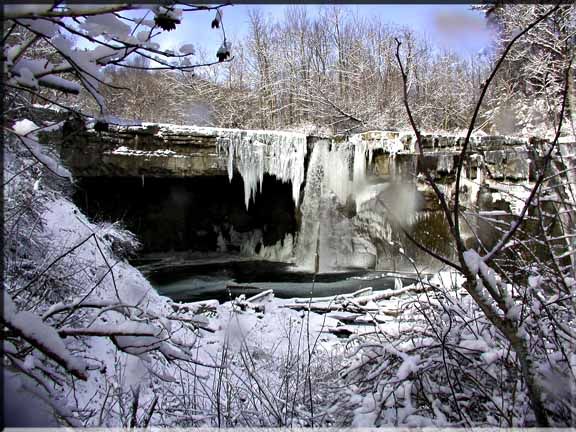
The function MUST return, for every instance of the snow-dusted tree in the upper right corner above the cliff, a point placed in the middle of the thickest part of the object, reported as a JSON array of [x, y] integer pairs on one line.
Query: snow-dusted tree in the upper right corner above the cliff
[[535, 66]]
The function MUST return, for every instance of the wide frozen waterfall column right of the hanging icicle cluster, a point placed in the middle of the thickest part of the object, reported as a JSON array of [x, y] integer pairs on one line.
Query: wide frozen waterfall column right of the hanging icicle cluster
[[342, 215]]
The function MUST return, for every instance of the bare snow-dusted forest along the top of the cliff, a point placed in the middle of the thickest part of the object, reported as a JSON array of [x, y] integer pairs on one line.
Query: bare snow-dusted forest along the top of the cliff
[[339, 72]]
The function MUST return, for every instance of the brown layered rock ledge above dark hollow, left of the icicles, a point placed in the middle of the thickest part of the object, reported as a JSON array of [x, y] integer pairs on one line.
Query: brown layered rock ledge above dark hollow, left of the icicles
[[134, 151]]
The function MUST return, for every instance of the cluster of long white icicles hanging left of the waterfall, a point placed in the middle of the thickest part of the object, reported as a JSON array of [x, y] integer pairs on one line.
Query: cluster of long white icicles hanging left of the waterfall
[[255, 153]]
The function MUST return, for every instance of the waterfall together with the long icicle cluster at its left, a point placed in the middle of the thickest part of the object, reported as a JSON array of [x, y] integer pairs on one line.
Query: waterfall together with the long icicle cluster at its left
[[342, 216]]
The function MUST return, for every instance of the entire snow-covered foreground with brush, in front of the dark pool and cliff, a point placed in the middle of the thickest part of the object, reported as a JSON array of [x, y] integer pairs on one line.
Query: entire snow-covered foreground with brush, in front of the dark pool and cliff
[[89, 342]]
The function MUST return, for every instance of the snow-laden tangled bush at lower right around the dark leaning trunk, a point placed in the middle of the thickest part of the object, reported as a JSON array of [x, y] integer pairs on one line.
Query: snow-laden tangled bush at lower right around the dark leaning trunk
[[446, 365]]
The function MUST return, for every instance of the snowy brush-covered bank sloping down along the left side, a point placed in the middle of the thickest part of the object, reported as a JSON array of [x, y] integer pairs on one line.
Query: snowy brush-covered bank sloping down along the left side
[[83, 330]]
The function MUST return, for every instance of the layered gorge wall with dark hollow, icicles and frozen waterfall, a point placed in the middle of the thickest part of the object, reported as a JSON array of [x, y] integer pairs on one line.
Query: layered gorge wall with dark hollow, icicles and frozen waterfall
[[286, 196]]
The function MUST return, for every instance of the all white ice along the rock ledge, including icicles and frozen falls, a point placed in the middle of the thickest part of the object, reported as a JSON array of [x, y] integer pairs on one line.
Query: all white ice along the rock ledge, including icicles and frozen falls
[[346, 219]]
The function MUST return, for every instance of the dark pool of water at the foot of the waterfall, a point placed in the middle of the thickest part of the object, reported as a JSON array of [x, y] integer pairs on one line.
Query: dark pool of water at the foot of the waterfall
[[224, 281]]
